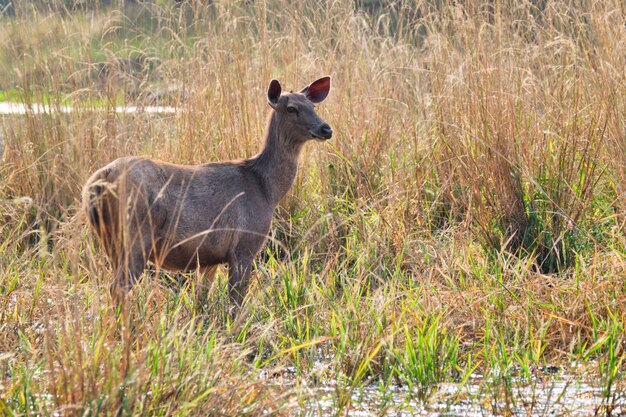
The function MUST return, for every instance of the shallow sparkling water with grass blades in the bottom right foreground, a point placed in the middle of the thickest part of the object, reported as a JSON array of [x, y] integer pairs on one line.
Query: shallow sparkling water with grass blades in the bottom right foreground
[[548, 393]]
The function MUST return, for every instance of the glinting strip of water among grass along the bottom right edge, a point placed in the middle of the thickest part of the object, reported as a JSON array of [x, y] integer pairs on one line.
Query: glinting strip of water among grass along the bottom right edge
[[559, 397]]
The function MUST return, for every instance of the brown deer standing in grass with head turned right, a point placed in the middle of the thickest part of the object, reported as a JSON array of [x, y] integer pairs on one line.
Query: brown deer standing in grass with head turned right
[[184, 218]]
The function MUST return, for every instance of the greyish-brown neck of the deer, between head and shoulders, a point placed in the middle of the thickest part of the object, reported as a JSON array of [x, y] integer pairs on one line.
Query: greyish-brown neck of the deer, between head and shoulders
[[277, 163]]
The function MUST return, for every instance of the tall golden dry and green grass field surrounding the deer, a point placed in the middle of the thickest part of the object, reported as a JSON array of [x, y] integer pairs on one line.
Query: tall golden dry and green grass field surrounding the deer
[[465, 225]]
